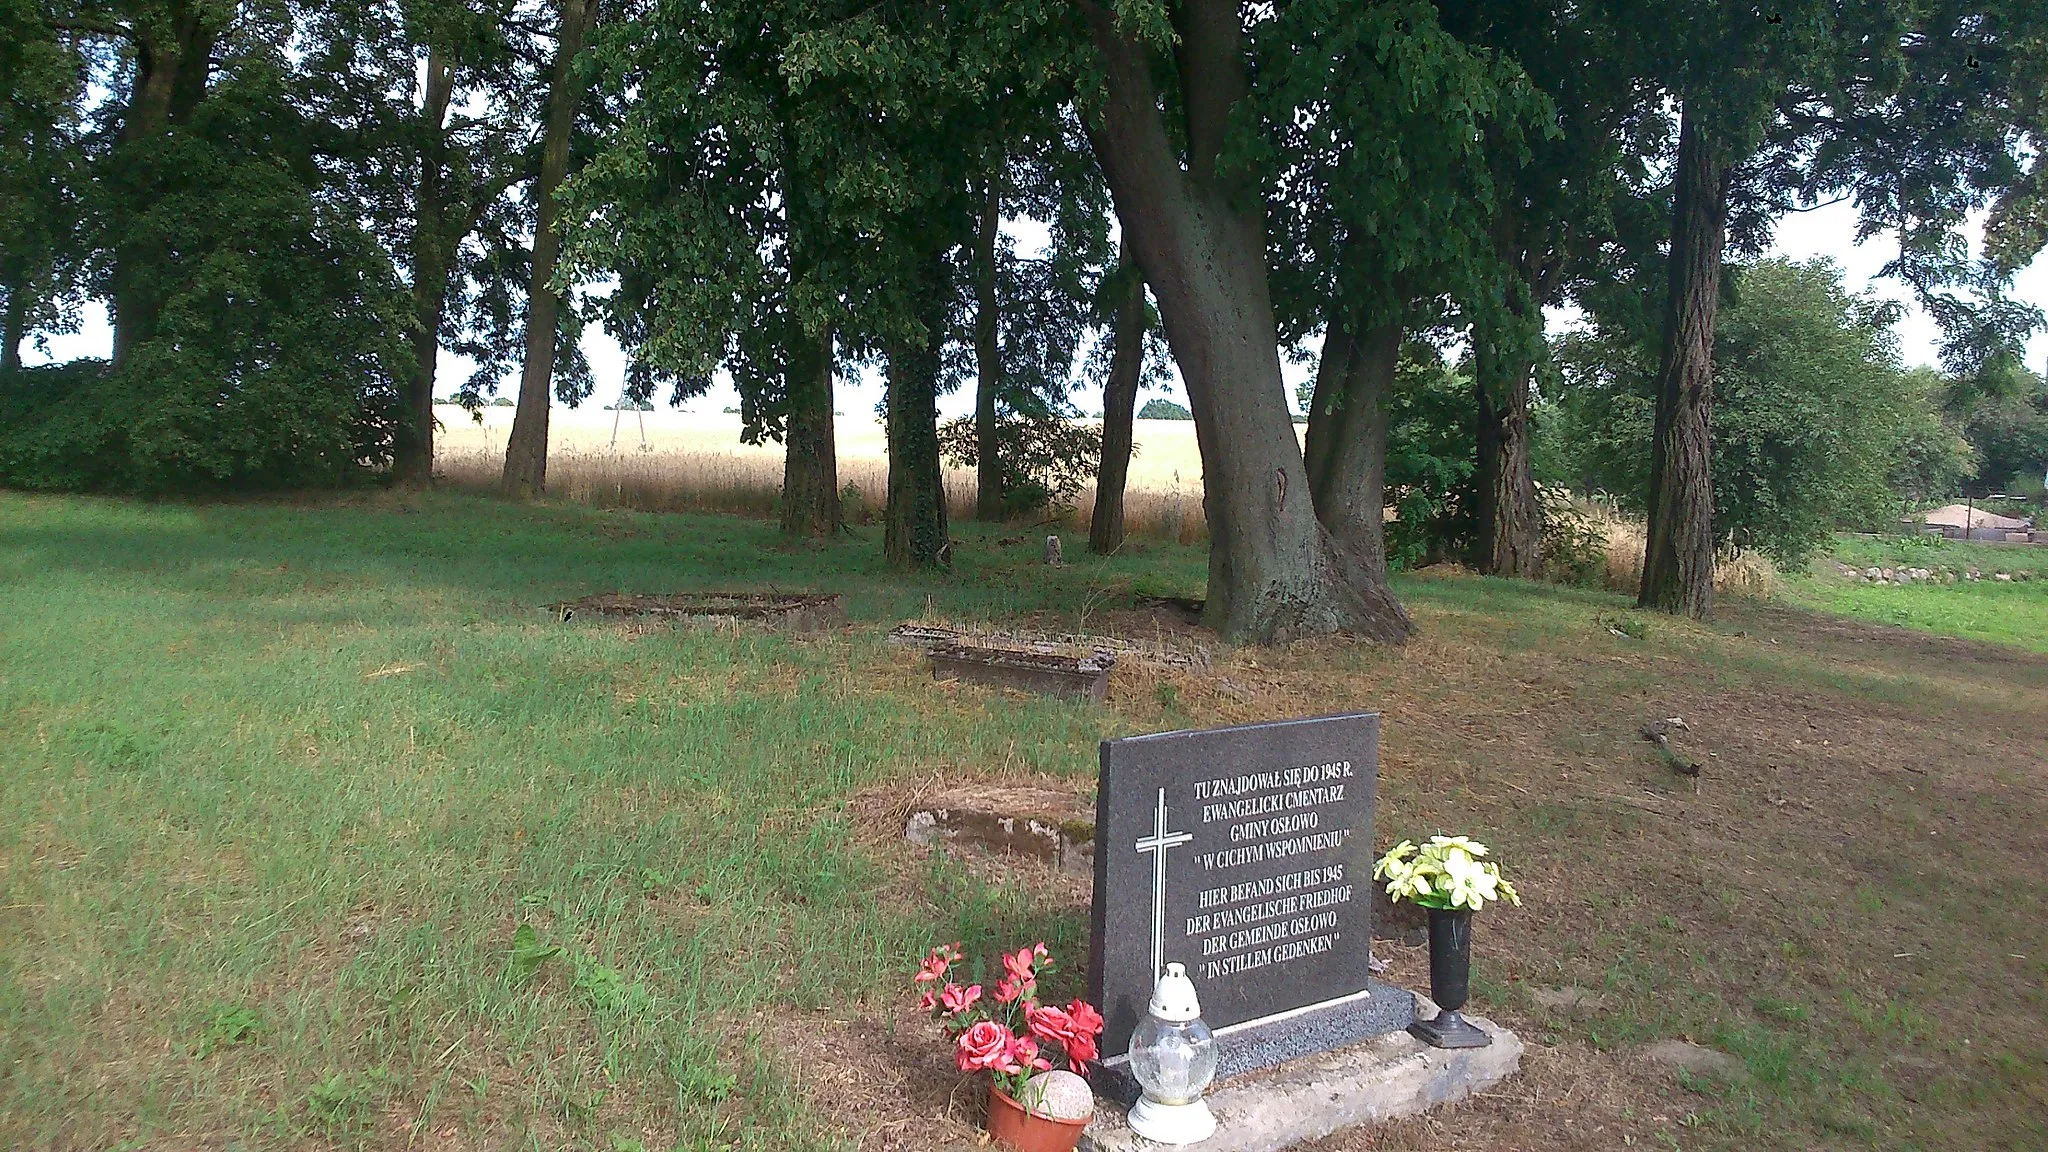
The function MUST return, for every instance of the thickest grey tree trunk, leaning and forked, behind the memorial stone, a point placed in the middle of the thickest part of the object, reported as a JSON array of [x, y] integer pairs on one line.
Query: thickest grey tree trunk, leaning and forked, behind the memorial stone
[[1201, 239]]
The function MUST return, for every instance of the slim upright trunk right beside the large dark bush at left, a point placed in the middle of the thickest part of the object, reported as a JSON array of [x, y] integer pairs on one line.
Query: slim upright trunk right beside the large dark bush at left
[[415, 446]]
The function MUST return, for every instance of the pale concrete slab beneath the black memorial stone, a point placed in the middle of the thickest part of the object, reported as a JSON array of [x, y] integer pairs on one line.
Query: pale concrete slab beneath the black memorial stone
[[1306, 1100]]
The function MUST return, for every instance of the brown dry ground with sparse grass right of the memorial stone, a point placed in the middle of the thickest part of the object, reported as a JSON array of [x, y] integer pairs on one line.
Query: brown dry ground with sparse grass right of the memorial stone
[[1803, 913]]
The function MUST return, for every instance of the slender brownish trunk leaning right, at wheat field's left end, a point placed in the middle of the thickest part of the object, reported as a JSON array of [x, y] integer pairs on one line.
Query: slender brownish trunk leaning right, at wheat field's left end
[[527, 450]]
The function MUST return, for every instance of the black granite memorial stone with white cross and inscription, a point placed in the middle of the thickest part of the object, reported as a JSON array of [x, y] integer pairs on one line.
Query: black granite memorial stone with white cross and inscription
[[1246, 856]]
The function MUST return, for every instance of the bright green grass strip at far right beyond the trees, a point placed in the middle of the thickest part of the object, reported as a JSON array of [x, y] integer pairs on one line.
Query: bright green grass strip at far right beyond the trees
[[1979, 610]]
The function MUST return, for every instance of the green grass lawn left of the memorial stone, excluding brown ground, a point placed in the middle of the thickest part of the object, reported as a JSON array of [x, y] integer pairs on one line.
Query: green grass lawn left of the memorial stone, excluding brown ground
[[282, 782]]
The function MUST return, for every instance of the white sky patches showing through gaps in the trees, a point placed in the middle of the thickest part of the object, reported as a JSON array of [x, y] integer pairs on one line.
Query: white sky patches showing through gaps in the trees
[[1822, 233]]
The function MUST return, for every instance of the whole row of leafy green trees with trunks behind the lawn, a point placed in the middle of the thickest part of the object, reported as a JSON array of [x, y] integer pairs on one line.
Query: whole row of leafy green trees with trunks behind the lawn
[[294, 210]]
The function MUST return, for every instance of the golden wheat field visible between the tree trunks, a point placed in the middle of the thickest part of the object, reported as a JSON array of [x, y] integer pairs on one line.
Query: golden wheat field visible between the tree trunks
[[669, 462]]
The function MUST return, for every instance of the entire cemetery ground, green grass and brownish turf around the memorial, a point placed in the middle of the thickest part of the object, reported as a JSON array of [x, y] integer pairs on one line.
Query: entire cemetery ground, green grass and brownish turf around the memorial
[[316, 831]]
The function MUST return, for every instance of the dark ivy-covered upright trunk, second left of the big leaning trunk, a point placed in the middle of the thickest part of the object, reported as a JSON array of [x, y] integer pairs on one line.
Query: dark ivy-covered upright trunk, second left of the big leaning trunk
[[914, 526]]
